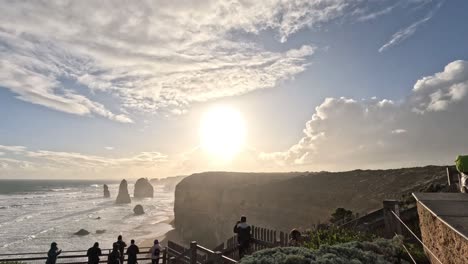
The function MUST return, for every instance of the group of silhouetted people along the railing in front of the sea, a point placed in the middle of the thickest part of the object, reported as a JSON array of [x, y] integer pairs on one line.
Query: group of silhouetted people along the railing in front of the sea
[[116, 256]]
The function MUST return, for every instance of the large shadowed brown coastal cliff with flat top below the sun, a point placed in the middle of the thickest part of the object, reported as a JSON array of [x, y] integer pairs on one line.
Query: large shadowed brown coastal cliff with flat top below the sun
[[207, 205]]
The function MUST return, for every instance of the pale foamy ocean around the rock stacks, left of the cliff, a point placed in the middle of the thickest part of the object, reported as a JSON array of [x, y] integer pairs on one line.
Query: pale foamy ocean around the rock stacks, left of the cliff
[[34, 213]]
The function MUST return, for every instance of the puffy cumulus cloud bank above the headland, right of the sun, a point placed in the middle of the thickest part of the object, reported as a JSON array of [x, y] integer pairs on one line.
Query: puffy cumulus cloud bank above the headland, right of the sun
[[427, 128]]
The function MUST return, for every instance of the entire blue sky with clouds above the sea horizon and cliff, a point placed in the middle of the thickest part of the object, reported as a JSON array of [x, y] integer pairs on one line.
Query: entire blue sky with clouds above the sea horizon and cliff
[[113, 89]]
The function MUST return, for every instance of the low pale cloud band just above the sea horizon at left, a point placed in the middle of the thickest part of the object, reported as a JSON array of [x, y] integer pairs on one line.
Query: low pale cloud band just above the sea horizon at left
[[23, 162]]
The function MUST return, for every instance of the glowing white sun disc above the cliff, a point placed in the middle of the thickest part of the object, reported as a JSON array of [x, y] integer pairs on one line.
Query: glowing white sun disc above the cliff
[[222, 132]]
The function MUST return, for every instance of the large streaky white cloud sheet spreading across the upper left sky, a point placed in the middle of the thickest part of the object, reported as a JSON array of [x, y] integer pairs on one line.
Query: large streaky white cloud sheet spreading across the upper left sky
[[153, 56]]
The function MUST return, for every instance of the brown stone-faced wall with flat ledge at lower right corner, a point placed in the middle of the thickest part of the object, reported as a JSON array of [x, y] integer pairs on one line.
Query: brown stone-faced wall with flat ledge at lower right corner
[[443, 219]]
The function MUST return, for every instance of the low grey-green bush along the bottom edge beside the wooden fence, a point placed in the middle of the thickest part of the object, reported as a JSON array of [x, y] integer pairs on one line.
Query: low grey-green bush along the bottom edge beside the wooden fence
[[380, 251]]
